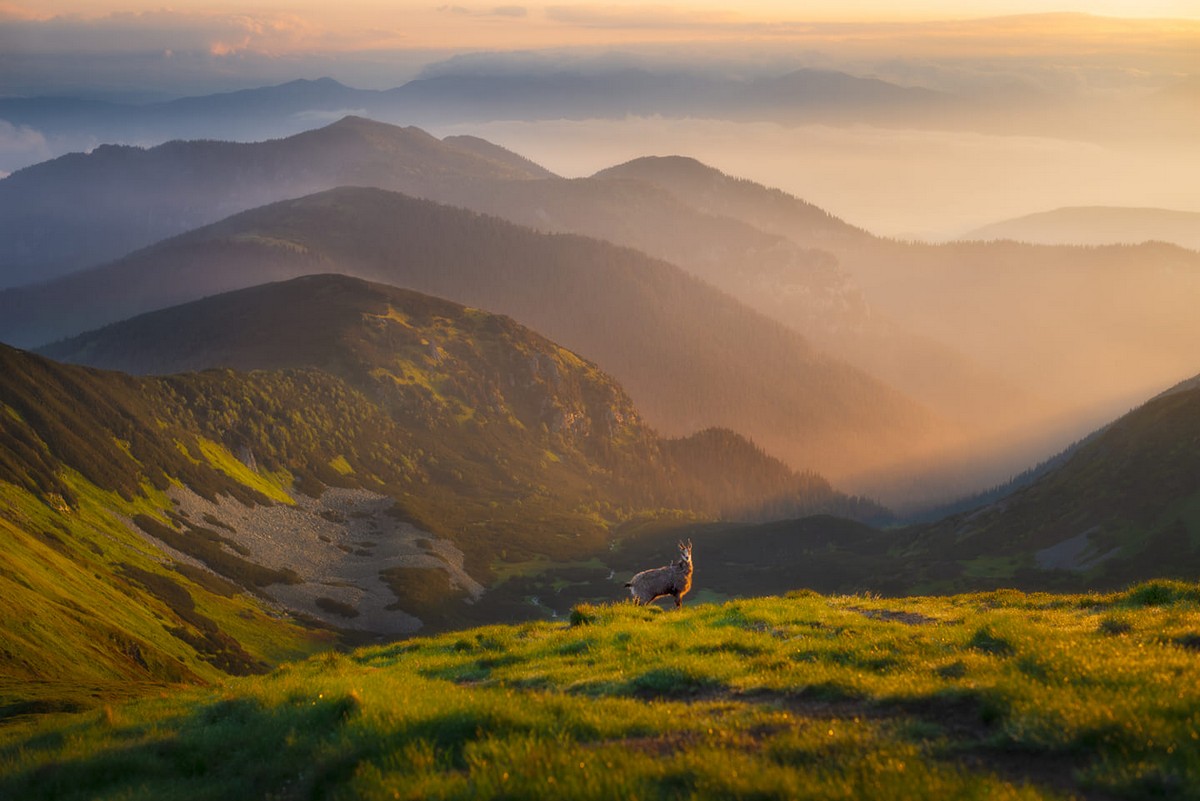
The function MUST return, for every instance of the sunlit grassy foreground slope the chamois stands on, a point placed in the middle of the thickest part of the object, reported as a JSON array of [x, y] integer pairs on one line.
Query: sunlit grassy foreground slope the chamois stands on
[[999, 696]]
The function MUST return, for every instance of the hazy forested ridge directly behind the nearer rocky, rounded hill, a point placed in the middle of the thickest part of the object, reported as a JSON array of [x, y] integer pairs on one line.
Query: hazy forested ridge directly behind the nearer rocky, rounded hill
[[691, 357]]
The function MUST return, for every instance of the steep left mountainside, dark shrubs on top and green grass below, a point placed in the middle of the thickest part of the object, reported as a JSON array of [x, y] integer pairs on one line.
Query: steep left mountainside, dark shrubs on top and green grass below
[[91, 609]]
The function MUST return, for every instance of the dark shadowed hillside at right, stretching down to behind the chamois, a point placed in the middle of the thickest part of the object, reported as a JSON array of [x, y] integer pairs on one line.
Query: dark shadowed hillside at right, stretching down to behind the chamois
[[1121, 507]]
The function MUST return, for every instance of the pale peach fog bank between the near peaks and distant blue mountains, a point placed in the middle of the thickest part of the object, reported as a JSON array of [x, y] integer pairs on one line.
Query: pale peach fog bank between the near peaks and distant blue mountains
[[909, 184]]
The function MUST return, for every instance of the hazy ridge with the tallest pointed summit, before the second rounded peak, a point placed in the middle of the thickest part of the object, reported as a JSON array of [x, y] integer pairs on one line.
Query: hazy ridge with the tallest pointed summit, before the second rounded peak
[[130, 197]]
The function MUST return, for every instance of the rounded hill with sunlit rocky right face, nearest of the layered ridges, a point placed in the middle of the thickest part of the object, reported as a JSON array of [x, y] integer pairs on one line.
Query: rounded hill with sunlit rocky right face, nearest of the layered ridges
[[430, 363]]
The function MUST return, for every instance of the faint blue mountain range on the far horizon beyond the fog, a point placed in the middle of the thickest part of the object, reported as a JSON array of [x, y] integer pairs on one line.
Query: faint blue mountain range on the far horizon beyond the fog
[[271, 112]]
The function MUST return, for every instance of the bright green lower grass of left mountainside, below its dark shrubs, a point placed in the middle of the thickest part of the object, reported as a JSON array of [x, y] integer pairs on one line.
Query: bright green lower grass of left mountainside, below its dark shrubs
[[93, 612]]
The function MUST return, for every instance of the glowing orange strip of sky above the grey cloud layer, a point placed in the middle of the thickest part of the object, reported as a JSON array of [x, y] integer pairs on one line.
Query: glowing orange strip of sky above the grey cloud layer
[[286, 27]]
